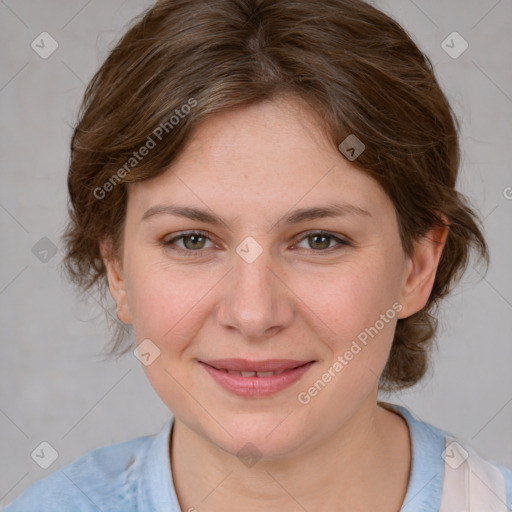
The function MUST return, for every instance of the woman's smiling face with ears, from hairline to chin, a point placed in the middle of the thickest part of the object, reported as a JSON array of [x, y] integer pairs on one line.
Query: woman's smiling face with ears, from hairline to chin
[[260, 288]]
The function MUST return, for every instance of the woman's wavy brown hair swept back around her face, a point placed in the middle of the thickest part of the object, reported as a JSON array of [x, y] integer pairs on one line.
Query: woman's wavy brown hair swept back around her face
[[184, 60]]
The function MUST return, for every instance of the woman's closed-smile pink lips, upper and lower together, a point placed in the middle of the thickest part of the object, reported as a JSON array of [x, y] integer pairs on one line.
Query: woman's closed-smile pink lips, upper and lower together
[[253, 387]]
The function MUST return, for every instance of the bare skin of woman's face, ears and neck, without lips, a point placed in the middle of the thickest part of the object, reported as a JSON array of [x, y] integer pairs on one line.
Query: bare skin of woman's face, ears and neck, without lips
[[297, 300]]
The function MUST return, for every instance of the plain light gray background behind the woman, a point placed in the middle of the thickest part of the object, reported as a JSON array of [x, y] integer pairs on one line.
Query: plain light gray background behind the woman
[[54, 385]]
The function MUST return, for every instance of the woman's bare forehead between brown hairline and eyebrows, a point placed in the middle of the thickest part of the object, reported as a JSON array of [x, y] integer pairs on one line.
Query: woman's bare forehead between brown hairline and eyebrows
[[268, 156]]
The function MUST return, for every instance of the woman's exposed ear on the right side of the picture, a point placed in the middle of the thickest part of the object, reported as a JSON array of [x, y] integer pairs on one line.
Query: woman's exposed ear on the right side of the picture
[[421, 270]]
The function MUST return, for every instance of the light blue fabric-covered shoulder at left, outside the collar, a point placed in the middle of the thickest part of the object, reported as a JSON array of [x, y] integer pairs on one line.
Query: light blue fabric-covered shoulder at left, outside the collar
[[103, 479]]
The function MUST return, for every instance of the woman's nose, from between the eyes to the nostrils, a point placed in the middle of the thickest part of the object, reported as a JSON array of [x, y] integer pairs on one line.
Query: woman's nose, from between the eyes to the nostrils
[[256, 300]]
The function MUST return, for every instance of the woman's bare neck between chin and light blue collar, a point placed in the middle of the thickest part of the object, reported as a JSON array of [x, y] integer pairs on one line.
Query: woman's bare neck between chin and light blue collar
[[370, 452]]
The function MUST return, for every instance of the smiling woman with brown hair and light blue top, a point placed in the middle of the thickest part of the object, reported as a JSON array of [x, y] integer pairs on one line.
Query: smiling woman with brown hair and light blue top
[[268, 191]]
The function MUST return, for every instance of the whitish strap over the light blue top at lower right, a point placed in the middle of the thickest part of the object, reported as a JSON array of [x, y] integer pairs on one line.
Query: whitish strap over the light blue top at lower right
[[470, 484]]
